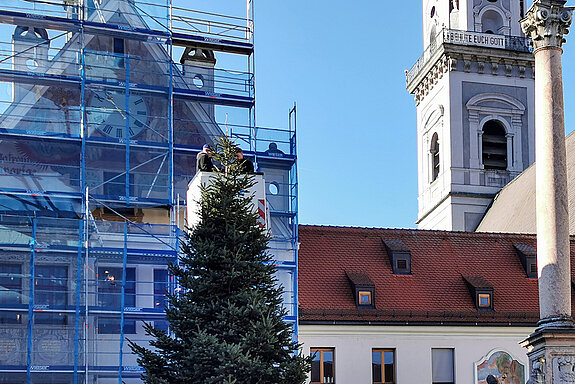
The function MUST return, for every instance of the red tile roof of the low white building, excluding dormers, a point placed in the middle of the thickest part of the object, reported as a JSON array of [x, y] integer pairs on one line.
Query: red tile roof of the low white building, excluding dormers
[[435, 291]]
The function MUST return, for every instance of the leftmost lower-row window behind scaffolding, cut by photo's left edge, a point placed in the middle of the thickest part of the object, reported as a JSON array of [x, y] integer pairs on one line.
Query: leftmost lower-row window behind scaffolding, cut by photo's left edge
[[10, 292]]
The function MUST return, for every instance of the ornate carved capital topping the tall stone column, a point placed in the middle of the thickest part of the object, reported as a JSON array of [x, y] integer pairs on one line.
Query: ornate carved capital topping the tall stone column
[[547, 22]]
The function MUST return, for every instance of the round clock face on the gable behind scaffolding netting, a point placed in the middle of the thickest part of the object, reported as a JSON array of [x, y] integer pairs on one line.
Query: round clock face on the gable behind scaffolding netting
[[108, 115]]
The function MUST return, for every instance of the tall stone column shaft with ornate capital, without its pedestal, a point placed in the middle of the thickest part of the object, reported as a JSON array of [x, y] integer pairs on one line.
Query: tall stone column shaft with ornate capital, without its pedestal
[[546, 23]]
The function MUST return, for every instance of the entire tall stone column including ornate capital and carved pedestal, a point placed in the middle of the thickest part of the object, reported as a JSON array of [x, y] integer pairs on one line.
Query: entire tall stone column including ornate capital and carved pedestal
[[551, 348]]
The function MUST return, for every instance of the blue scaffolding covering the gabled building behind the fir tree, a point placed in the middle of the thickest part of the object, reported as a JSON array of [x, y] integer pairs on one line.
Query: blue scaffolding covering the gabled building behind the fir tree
[[104, 105]]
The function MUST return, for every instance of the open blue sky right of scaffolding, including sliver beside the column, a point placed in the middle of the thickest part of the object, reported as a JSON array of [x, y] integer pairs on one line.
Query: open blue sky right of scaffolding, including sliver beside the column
[[343, 63]]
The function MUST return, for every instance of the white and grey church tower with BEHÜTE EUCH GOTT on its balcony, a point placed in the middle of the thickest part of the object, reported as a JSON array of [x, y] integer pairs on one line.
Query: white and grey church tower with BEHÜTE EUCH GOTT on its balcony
[[474, 91]]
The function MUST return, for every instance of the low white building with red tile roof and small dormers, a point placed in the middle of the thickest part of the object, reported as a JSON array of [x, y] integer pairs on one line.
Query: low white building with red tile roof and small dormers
[[416, 306]]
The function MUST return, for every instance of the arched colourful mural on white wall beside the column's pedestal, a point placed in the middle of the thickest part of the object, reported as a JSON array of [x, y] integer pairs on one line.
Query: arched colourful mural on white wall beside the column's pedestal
[[501, 366]]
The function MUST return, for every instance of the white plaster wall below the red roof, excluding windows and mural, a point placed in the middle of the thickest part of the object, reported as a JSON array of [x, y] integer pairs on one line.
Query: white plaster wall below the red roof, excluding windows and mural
[[353, 346]]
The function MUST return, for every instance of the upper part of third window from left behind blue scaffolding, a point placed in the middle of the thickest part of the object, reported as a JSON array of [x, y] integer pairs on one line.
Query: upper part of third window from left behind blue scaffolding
[[110, 287]]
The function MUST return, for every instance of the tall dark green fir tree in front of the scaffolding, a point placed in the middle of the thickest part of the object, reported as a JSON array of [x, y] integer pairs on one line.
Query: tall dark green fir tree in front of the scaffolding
[[226, 320]]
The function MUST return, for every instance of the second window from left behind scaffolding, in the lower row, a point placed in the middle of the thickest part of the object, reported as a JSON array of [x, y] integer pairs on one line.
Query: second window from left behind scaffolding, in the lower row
[[50, 289]]
